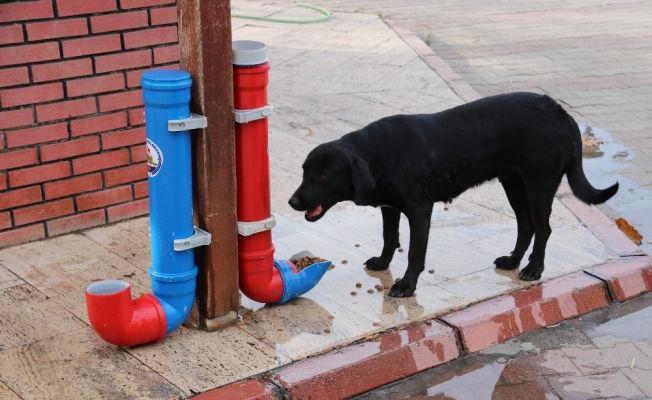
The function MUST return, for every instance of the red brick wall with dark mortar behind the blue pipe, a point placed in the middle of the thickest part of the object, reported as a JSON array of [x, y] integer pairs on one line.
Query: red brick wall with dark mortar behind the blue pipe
[[72, 152]]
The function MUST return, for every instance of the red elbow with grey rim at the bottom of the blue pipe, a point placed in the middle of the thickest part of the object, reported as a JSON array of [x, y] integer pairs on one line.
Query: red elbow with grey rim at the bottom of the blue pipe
[[121, 320]]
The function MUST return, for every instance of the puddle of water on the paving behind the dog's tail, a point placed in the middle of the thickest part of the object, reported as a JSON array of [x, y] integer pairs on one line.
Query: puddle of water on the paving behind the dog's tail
[[604, 166]]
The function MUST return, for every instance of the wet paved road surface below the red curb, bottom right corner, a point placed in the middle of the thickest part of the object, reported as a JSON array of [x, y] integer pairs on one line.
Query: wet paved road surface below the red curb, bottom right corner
[[602, 355]]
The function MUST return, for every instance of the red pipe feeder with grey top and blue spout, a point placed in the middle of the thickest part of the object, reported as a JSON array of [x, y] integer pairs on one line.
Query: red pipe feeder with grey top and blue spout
[[262, 278]]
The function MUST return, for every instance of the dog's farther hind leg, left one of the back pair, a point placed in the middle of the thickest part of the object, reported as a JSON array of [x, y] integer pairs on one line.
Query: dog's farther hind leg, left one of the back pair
[[517, 196]]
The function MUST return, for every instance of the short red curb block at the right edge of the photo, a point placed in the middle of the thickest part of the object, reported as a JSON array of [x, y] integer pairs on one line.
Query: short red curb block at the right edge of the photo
[[626, 278]]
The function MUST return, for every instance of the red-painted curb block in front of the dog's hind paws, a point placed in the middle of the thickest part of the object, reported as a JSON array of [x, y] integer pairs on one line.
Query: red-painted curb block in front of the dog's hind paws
[[496, 320]]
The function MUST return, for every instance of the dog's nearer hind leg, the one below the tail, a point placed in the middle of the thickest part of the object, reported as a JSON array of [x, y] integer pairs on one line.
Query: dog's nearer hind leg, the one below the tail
[[541, 193]]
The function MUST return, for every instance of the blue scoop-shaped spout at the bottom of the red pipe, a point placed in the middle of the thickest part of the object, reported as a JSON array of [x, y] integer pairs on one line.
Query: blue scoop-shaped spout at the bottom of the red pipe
[[297, 283]]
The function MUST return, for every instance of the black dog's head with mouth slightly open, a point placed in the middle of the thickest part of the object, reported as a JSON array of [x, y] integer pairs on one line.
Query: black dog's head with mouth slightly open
[[332, 172]]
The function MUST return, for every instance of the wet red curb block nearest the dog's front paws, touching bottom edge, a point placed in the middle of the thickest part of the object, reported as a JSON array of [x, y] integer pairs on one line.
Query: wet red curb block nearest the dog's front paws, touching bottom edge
[[344, 373]]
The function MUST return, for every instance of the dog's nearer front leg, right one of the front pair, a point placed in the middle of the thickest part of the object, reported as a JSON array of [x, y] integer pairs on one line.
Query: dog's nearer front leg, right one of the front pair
[[419, 228]]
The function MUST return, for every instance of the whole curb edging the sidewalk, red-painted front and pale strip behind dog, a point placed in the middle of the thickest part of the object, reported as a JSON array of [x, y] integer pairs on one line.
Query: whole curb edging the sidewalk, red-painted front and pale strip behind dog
[[393, 355]]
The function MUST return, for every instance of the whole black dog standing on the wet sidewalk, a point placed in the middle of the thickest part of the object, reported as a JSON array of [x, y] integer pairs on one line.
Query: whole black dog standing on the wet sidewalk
[[406, 163]]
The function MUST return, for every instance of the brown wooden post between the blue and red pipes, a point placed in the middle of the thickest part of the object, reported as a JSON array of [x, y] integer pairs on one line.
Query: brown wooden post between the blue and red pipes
[[205, 41]]
